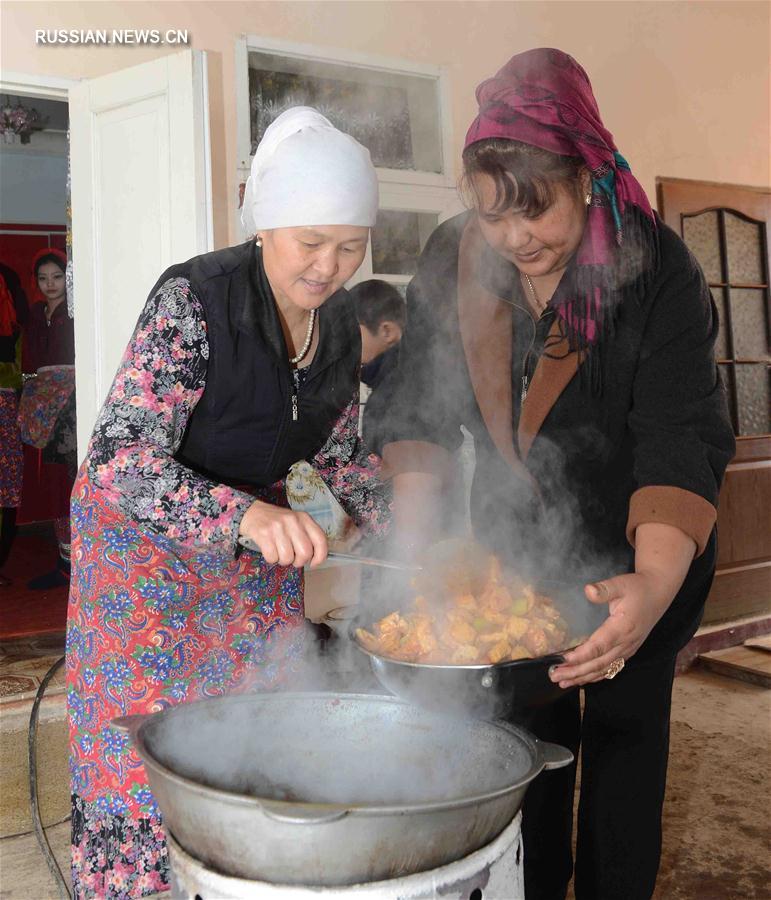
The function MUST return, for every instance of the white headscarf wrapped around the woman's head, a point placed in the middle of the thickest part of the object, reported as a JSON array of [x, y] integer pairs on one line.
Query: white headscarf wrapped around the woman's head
[[306, 172]]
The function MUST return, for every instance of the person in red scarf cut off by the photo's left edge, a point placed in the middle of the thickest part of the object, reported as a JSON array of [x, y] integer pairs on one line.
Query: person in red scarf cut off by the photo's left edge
[[13, 315]]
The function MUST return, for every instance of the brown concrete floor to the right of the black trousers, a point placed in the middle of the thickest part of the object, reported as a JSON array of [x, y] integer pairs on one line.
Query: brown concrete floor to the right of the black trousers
[[717, 830]]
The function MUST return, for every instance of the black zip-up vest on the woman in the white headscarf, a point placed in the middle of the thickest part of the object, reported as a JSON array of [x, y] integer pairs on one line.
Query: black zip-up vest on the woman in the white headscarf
[[243, 430]]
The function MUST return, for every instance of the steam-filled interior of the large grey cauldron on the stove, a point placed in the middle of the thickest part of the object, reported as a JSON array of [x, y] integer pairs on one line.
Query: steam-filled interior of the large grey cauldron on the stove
[[349, 751]]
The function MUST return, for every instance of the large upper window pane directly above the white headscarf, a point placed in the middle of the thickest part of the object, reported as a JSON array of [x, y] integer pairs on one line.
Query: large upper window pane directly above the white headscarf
[[395, 116]]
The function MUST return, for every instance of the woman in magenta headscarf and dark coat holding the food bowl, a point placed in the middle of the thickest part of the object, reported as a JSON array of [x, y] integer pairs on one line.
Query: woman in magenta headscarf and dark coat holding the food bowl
[[571, 332]]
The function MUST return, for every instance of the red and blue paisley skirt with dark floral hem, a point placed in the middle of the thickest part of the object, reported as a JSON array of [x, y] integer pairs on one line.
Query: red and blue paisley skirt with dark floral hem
[[150, 625]]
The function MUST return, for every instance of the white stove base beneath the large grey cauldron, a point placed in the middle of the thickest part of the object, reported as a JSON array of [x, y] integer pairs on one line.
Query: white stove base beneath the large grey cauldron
[[493, 873]]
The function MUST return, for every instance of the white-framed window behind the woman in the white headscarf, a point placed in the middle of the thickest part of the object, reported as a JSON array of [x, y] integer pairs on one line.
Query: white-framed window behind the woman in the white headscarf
[[399, 110]]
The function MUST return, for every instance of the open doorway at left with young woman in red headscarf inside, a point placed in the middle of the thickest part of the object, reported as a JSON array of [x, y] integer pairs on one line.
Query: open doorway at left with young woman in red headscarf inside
[[39, 463]]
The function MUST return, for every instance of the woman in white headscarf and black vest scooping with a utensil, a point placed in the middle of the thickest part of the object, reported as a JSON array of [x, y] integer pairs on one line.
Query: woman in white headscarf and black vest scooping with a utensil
[[243, 362]]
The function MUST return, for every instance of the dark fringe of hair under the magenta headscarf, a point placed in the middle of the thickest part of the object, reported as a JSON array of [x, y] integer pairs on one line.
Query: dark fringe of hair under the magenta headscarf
[[524, 176]]
